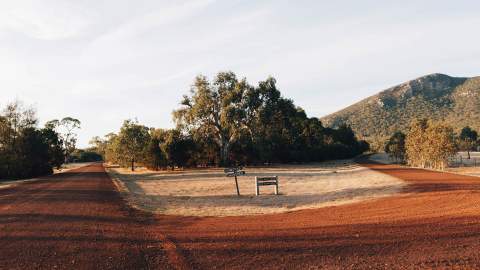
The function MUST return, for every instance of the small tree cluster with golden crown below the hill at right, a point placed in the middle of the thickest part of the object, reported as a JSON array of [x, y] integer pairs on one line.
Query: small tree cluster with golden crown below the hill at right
[[430, 144]]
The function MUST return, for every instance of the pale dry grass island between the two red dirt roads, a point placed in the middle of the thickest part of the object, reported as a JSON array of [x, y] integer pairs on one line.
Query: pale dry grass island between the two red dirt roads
[[207, 192]]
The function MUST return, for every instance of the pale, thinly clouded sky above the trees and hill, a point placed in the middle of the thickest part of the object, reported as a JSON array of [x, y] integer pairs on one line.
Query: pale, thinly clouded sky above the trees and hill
[[104, 61]]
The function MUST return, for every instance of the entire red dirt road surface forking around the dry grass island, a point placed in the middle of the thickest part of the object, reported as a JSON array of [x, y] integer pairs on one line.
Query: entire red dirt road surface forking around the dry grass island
[[77, 221]]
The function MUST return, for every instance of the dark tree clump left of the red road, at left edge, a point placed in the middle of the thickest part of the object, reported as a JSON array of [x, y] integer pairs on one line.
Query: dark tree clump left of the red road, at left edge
[[28, 151]]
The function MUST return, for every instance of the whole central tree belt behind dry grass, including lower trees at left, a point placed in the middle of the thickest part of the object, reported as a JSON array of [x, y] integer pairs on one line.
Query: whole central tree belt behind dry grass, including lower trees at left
[[228, 121]]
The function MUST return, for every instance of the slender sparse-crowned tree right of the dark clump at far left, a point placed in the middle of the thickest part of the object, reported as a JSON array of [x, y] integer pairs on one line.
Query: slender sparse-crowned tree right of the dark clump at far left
[[66, 127]]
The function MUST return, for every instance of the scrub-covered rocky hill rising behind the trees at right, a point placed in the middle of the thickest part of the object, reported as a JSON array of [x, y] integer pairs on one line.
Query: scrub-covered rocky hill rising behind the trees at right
[[435, 96]]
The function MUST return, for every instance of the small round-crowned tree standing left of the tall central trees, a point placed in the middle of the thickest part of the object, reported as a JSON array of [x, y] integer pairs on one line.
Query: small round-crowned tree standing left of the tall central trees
[[132, 140]]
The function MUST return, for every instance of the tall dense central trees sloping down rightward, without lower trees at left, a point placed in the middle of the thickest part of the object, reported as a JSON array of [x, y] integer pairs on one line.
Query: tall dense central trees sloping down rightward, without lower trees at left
[[247, 124]]
